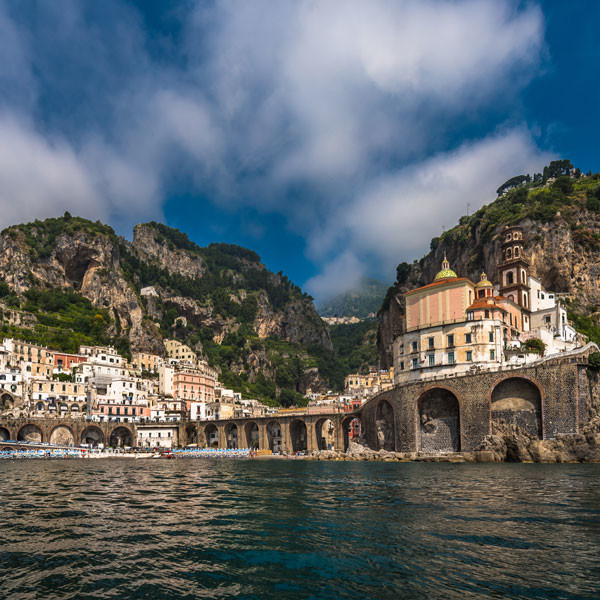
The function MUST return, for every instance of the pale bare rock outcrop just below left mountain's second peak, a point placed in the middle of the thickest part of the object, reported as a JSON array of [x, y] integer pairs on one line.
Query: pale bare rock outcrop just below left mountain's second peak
[[148, 244]]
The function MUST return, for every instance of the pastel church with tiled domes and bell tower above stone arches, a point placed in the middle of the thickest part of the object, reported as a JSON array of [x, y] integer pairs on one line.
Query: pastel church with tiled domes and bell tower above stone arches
[[455, 326]]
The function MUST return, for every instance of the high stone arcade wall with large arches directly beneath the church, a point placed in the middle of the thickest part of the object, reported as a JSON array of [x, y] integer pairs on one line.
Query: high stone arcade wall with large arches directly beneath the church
[[453, 414]]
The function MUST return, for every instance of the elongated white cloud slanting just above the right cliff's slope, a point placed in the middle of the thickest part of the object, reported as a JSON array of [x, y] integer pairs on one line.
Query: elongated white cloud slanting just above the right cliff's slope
[[397, 215]]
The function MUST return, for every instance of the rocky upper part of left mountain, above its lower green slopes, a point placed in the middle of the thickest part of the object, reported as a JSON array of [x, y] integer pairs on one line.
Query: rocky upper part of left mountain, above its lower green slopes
[[203, 302]]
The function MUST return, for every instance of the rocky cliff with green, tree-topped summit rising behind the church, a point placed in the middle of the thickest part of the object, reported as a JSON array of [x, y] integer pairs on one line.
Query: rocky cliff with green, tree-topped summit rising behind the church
[[561, 227]]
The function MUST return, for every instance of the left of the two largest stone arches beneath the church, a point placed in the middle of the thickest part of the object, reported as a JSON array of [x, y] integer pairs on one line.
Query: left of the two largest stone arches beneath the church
[[438, 421]]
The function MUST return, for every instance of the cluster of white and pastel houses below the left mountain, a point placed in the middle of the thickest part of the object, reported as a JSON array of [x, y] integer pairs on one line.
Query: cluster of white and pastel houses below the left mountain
[[99, 384]]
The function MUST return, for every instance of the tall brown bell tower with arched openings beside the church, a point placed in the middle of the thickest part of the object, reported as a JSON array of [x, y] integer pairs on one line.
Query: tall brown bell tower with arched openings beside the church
[[513, 269]]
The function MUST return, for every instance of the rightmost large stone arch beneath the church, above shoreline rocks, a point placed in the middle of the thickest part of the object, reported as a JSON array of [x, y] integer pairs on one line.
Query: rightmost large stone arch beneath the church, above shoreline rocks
[[516, 402]]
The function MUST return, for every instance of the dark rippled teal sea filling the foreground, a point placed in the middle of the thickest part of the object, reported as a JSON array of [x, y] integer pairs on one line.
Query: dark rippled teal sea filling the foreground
[[297, 529]]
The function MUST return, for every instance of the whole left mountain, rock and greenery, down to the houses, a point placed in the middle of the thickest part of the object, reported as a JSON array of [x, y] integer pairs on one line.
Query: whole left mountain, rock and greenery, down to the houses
[[220, 299]]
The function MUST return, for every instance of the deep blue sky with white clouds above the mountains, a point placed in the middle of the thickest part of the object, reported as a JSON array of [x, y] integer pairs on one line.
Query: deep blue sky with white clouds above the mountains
[[333, 137]]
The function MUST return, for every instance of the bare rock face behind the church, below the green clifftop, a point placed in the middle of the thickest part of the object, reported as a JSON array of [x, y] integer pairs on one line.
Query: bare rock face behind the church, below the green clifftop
[[558, 254]]
